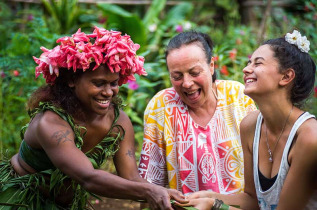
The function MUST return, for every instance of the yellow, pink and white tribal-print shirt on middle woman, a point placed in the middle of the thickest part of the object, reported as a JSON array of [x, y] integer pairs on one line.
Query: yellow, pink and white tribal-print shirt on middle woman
[[180, 154]]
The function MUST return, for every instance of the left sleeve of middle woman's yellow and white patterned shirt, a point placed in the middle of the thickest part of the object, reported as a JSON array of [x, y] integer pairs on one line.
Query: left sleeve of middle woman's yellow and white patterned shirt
[[152, 165]]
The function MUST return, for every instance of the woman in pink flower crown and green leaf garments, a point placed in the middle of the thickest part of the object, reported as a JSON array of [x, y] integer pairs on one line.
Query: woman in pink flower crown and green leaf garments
[[76, 124]]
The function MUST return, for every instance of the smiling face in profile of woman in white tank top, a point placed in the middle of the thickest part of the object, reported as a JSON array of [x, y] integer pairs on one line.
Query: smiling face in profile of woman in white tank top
[[261, 75]]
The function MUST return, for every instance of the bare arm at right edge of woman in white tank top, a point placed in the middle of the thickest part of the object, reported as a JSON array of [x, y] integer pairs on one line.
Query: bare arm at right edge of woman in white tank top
[[301, 180]]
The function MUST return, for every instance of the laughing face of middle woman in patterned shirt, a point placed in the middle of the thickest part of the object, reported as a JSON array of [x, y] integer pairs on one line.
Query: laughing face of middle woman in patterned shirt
[[191, 75]]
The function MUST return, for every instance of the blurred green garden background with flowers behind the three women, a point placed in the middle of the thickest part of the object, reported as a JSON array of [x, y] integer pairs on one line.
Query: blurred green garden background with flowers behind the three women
[[237, 27]]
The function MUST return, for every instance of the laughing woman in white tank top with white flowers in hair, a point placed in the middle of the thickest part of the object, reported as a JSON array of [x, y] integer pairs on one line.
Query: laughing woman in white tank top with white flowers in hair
[[280, 140]]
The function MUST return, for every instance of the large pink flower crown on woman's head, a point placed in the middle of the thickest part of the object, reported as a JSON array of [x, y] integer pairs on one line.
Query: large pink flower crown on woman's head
[[117, 51]]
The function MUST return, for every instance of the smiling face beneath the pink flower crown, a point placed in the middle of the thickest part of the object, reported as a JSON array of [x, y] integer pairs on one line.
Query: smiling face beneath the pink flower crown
[[95, 90]]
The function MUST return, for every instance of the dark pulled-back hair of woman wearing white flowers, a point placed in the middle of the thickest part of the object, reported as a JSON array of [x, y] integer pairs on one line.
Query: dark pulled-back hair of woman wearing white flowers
[[290, 56]]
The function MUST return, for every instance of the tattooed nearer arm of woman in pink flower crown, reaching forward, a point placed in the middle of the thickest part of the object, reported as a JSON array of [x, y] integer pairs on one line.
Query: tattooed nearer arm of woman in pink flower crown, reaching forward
[[57, 139]]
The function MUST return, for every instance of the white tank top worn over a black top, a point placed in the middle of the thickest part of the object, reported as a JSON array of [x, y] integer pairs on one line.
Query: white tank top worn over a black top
[[268, 199]]
